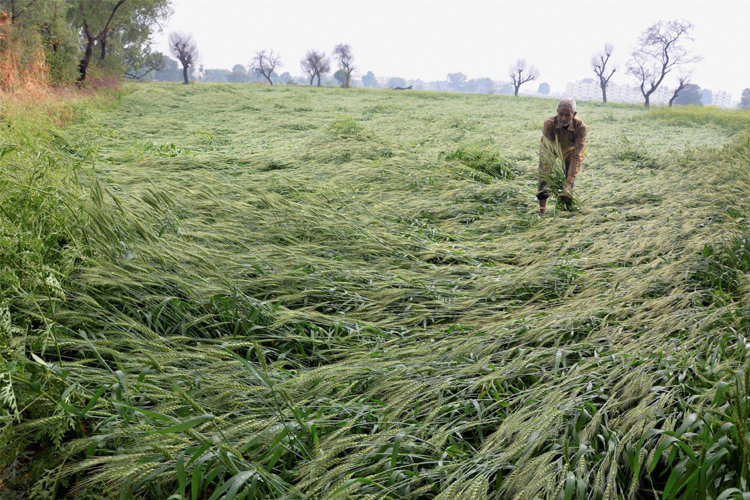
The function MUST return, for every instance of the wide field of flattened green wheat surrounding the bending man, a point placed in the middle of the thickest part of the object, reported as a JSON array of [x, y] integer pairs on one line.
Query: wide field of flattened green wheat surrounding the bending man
[[221, 291]]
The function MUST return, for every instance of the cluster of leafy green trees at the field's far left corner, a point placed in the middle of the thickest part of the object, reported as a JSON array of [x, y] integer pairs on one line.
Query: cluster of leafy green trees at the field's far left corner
[[71, 35]]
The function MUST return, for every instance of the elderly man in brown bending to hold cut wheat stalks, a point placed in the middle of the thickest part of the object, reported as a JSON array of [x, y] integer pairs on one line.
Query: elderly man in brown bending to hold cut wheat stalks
[[570, 133]]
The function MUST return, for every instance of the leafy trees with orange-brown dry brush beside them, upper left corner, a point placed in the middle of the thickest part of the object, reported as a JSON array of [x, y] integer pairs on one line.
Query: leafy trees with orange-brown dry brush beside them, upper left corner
[[59, 42]]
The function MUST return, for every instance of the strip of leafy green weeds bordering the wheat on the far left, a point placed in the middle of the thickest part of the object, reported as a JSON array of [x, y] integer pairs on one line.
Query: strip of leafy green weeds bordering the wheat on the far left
[[40, 243]]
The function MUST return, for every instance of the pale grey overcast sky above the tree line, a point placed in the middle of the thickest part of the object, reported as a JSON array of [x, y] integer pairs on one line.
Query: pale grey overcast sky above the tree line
[[429, 39]]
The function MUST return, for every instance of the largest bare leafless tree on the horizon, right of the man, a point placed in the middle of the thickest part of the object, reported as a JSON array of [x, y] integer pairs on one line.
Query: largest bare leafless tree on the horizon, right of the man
[[660, 48]]
